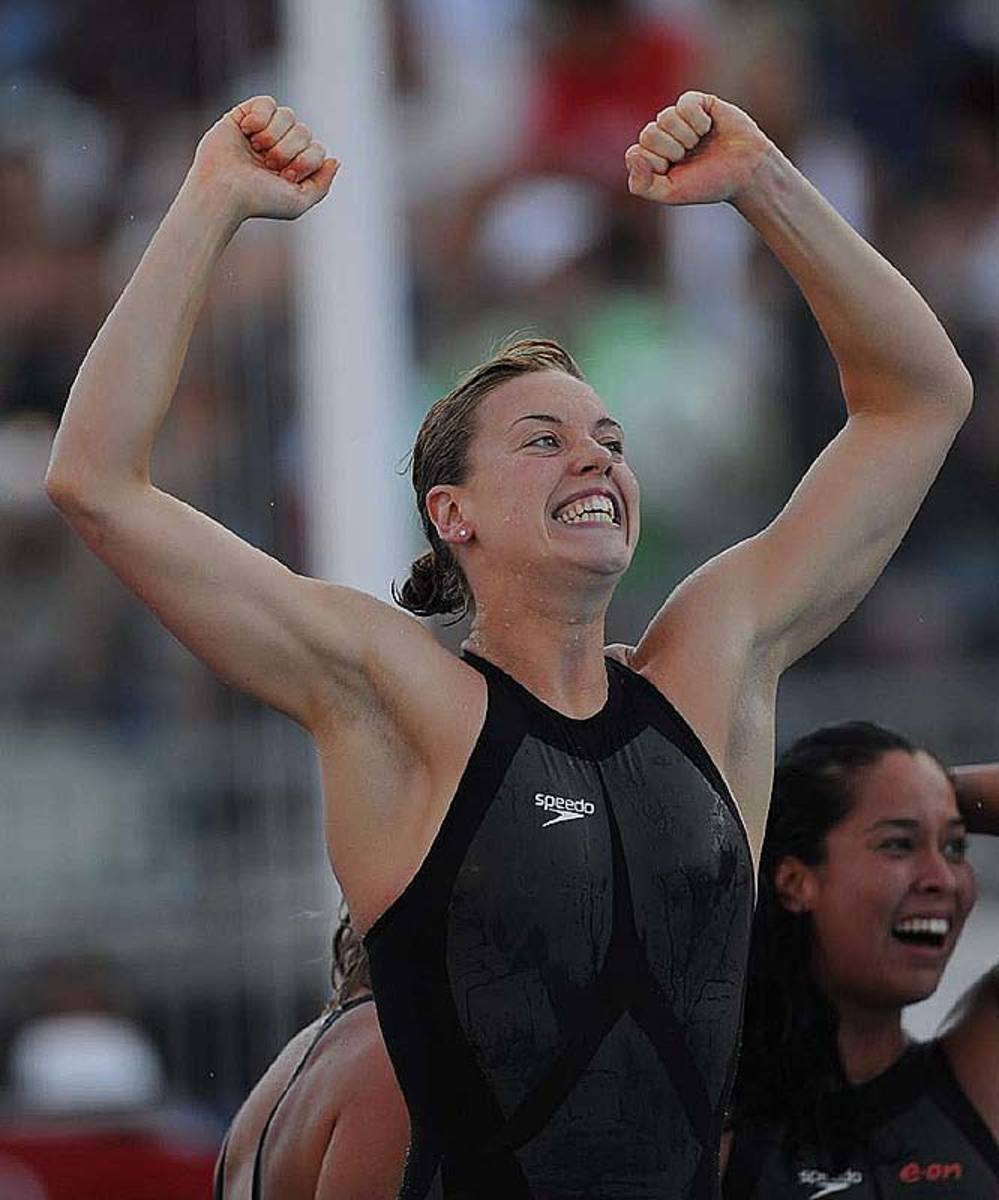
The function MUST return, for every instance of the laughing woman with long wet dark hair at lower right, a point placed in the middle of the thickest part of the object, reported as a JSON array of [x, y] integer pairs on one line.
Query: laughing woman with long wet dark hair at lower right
[[864, 892]]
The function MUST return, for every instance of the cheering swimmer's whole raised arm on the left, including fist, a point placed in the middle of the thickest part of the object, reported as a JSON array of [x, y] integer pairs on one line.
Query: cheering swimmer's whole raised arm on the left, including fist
[[259, 626]]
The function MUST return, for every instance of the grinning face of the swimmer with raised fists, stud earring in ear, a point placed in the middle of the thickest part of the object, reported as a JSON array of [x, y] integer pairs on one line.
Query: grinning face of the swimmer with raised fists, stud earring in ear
[[548, 489]]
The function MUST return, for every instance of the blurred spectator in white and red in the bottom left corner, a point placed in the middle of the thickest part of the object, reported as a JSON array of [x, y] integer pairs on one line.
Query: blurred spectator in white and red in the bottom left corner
[[87, 1113]]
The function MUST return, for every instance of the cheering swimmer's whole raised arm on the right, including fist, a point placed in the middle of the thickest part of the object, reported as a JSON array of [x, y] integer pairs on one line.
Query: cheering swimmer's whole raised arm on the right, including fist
[[907, 394]]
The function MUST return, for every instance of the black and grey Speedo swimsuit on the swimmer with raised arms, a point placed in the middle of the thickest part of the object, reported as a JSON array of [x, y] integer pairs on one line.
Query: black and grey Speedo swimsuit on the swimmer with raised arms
[[560, 987]]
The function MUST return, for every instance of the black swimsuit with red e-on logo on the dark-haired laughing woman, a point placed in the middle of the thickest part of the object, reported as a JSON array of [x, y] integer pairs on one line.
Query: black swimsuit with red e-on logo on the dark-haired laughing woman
[[926, 1142]]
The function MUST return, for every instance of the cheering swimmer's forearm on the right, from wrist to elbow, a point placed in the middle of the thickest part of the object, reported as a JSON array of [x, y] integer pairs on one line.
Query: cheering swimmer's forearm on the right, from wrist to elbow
[[892, 351]]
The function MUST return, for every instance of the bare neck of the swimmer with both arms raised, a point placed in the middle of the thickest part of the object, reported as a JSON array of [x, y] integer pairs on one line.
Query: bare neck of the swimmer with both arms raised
[[558, 656]]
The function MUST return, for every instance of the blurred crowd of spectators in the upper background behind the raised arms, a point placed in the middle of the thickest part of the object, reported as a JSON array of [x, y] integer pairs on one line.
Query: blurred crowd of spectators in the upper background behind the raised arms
[[513, 117]]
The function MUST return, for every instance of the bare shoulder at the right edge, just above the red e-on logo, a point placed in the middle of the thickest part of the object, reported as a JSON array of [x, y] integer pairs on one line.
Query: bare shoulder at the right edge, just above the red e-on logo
[[972, 1045]]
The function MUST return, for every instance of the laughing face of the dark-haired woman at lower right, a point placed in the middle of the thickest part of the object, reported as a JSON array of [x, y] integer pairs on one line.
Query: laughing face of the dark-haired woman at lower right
[[890, 899]]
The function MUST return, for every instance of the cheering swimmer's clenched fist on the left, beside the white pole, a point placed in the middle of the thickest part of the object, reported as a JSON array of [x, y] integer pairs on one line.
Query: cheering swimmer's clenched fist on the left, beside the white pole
[[265, 161]]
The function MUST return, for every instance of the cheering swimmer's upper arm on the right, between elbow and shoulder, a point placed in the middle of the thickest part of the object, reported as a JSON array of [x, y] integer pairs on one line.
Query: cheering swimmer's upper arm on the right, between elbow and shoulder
[[810, 569]]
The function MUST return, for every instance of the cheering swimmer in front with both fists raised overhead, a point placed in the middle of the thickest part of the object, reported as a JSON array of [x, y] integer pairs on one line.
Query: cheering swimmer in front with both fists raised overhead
[[540, 839]]
